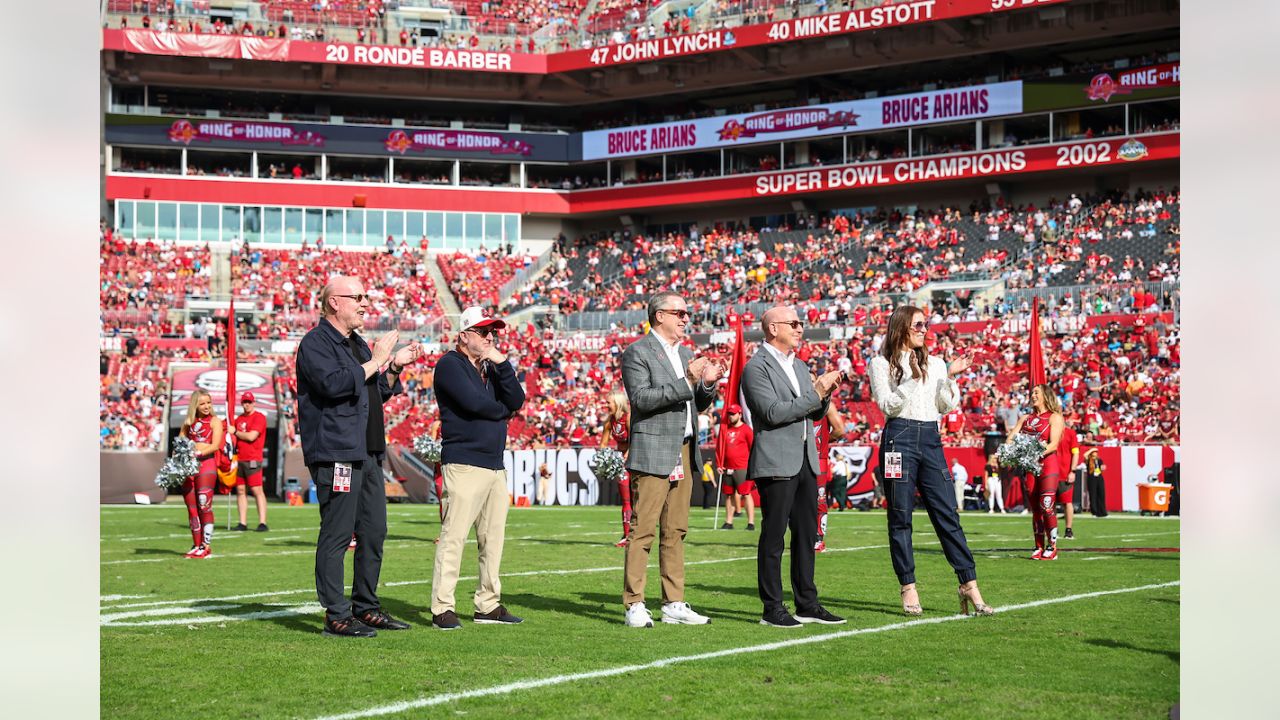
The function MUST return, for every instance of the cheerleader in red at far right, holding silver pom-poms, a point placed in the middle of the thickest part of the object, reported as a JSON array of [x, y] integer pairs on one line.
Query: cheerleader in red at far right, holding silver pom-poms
[[1045, 425]]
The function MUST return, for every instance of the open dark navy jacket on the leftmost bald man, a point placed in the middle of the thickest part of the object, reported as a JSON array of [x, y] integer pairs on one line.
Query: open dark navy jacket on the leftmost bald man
[[333, 407]]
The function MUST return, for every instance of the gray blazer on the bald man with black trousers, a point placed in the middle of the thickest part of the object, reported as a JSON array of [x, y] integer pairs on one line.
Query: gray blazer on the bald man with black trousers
[[779, 417]]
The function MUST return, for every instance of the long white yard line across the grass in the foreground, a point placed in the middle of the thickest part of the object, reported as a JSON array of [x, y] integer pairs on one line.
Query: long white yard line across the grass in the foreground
[[675, 660]]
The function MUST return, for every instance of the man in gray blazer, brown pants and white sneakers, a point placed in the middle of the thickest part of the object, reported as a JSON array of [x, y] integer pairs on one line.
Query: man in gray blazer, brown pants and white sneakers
[[668, 388]]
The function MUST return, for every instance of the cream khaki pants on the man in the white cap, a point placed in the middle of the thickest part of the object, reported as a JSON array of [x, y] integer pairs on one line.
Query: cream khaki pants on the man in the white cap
[[473, 496]]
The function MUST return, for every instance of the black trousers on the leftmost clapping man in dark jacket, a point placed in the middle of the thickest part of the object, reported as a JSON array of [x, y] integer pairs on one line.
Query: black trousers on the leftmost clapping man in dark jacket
[[362, 512]]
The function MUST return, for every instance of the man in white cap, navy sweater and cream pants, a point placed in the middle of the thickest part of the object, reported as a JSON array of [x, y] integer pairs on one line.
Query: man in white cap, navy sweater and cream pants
[[478, 393]]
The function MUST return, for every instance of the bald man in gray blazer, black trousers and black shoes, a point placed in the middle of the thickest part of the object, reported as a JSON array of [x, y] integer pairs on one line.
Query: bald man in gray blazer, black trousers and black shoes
[[785, 403]]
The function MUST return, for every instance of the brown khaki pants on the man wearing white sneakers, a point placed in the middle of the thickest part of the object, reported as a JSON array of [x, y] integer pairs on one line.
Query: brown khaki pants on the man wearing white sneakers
[[659, 503]]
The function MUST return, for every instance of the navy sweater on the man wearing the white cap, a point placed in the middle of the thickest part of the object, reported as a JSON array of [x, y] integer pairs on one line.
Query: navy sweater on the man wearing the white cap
[[473, 413]]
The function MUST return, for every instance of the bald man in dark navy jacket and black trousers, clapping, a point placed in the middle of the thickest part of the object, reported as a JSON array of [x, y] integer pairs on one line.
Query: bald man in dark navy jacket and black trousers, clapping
[[342, 386]]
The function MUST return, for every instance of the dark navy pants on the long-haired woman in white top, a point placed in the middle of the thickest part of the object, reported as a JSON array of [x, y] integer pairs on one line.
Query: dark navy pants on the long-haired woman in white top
[[925, 470]]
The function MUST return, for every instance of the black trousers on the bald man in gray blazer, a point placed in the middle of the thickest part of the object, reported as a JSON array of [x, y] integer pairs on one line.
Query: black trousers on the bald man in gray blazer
[[788, 503]]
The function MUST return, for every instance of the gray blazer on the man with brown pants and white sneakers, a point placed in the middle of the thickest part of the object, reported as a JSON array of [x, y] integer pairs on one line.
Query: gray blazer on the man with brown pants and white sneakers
[[659, 407]]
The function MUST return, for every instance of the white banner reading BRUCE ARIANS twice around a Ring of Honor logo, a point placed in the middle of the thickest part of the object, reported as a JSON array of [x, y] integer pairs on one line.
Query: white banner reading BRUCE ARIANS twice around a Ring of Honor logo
[[812, 121]]
